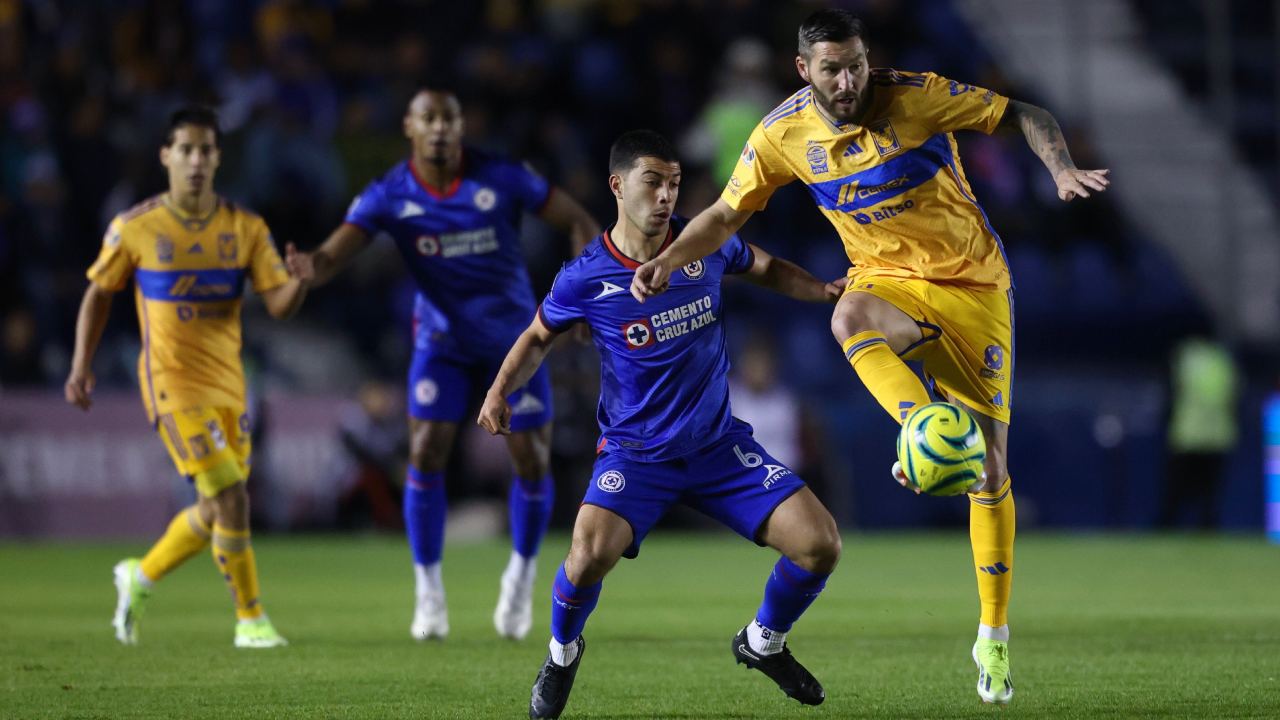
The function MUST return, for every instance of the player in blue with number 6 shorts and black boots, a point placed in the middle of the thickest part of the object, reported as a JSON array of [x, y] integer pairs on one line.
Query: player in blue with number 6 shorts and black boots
[[668, 432]]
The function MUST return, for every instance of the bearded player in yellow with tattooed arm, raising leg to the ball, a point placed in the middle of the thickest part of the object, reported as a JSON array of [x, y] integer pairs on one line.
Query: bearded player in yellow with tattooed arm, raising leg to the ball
[[929, 281]]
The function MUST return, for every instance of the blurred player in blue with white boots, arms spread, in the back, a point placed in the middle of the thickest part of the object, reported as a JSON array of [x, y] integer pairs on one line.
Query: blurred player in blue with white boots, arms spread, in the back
[[455, 216]]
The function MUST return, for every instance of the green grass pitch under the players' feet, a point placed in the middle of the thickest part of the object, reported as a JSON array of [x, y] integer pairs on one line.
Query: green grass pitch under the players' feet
[[1104, 627]]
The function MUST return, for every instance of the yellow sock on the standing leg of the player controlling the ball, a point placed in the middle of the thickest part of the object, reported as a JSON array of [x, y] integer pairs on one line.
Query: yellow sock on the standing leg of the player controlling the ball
[[991, 531]]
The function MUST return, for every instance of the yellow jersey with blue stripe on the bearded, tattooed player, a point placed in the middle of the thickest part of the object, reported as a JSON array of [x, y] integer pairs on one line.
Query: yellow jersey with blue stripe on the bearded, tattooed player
[[893, 186]]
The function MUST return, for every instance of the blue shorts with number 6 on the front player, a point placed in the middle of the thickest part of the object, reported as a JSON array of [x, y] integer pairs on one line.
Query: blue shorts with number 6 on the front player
[[734, 481]]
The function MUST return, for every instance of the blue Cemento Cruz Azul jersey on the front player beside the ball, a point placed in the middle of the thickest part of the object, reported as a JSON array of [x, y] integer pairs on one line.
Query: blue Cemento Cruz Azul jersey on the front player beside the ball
[[664, 367]]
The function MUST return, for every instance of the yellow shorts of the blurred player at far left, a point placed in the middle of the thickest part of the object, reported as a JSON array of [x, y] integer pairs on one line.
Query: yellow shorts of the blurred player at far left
[[209, 445]]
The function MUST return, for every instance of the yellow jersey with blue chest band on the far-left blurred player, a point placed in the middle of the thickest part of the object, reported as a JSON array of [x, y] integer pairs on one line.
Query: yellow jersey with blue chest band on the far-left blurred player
[[189, 276]]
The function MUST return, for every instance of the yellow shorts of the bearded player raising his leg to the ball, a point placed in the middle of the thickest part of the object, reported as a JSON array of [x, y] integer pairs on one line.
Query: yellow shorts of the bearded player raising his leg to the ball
[[968, 344]]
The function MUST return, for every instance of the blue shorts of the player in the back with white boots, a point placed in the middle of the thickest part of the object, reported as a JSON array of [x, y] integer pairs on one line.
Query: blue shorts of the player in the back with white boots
[[441, 390]]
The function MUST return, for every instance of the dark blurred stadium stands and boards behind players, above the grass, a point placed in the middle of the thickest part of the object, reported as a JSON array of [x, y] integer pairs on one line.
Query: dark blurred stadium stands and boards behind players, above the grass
[[1180, 98]]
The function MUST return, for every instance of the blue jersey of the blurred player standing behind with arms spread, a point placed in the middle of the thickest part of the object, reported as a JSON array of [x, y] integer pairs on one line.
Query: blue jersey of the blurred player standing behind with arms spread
[[463, 248]]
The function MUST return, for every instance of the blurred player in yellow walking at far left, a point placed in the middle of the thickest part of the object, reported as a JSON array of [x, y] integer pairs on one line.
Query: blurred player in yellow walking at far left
[[189, 254]]
